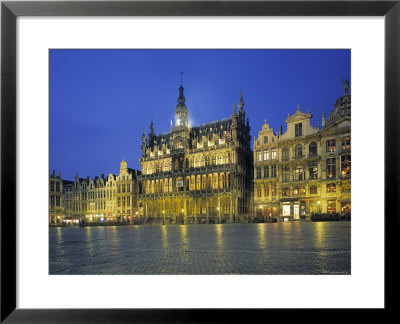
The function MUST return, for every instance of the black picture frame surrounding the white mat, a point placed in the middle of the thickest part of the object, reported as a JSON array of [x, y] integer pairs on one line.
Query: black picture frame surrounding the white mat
[[10, 10]]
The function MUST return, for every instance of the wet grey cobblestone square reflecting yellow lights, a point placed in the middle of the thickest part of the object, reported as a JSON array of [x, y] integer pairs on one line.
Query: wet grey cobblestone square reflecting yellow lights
[[226, 249]]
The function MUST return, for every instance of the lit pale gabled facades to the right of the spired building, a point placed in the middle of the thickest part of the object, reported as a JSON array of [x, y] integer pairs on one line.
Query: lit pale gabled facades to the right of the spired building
[[305, 170]]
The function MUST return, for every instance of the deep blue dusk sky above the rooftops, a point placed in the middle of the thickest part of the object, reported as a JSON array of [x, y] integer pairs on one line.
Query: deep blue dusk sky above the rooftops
[[100, 100]]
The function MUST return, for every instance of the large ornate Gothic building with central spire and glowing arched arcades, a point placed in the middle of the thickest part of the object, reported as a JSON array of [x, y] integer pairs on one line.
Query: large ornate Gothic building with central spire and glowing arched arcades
[[200, 174]]
